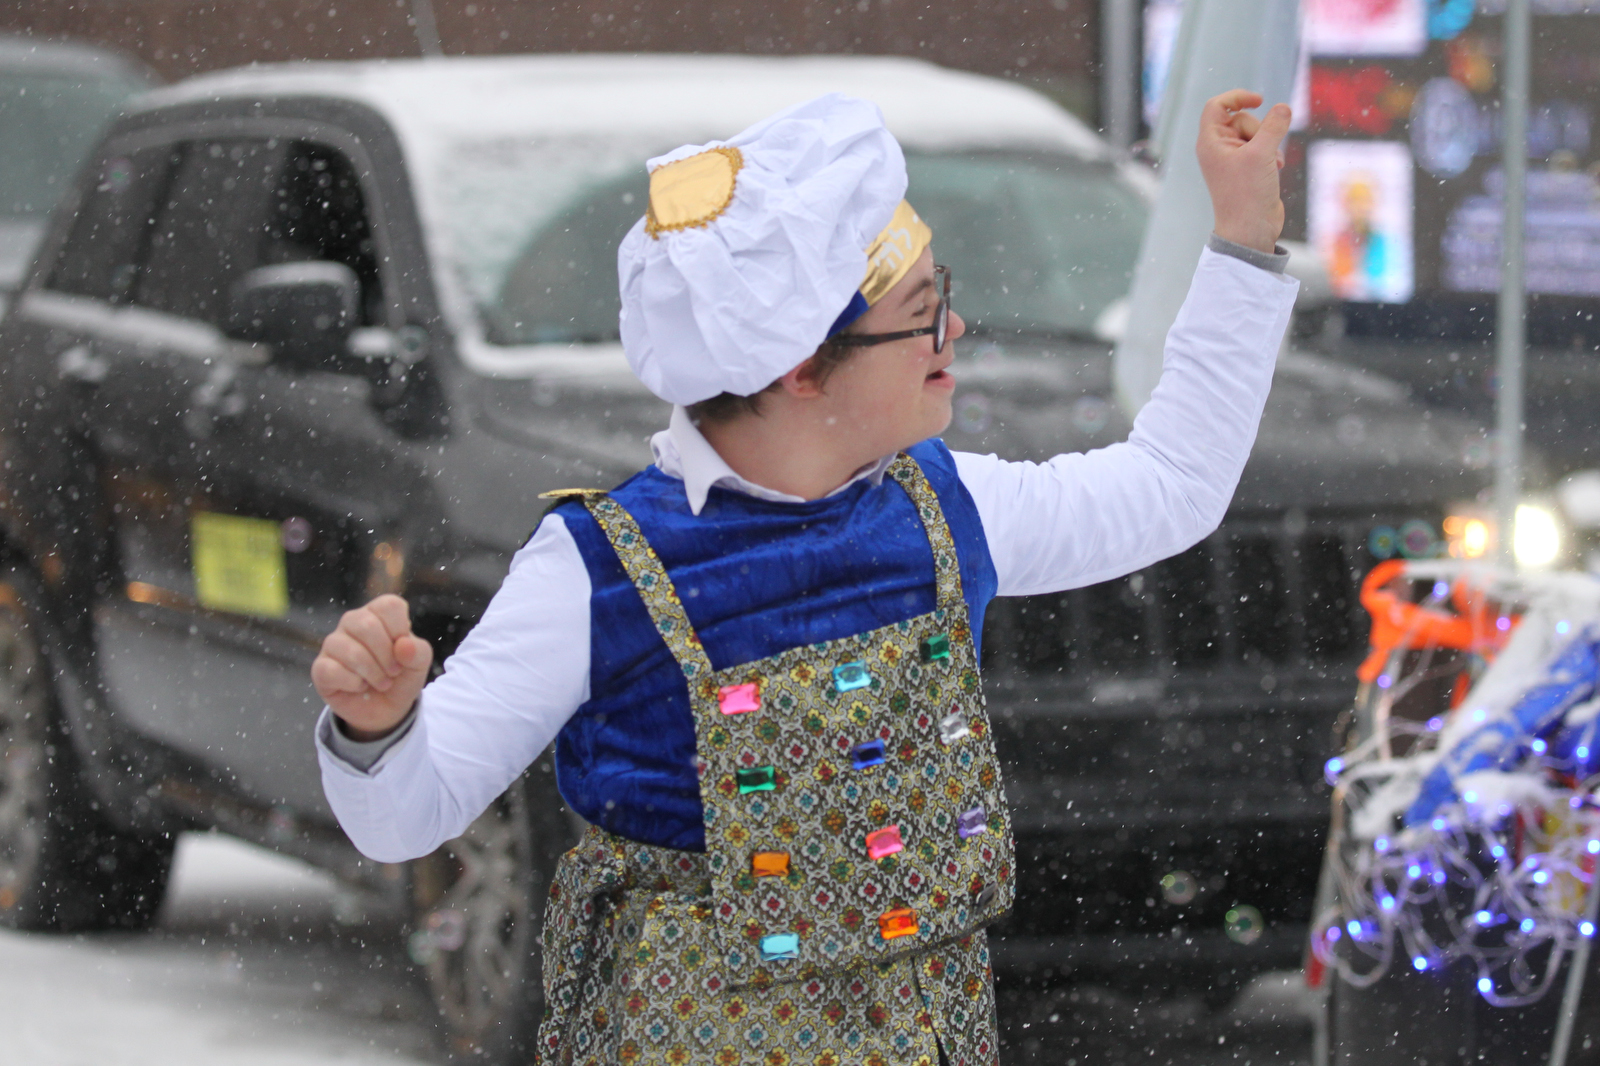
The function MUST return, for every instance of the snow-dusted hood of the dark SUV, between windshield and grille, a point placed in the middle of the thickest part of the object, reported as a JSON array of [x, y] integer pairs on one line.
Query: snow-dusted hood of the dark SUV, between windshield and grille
[[1332, 436]]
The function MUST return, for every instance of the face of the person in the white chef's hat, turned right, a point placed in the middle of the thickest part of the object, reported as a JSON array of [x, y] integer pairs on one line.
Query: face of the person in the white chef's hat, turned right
[[895, 395]]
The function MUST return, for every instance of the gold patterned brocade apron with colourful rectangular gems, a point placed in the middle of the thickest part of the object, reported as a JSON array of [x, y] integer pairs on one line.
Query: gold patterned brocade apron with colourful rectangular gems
[[857, 844]]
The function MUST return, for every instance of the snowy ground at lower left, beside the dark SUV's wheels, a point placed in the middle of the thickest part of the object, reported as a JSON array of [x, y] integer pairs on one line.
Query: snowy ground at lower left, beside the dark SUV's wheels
[[246, 969]]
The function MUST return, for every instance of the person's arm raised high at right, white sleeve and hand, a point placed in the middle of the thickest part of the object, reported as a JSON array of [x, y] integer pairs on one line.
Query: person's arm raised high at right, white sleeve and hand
[[1089, 518]]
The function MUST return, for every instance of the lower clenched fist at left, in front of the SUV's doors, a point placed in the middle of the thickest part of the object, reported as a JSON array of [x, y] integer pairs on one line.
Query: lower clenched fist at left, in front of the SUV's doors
[[372, 668]]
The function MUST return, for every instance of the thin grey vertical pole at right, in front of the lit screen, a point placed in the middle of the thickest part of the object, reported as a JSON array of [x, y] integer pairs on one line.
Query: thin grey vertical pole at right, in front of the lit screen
[[1513, 315]]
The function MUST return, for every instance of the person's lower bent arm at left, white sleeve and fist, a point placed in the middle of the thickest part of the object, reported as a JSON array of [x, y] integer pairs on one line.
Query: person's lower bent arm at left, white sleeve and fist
[[402, 783]]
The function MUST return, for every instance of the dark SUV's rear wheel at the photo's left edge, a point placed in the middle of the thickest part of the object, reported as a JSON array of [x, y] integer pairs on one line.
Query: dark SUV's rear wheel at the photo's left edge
[[63, 865]]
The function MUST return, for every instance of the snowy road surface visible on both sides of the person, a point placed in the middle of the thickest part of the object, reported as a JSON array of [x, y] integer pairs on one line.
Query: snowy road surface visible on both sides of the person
[[252, 968]]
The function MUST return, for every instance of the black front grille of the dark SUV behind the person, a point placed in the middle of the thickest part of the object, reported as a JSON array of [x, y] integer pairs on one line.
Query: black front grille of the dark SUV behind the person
[[1273, 591]]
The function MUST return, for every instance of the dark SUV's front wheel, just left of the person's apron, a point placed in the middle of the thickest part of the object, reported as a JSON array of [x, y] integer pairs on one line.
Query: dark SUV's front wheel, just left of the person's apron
[[479, 915]]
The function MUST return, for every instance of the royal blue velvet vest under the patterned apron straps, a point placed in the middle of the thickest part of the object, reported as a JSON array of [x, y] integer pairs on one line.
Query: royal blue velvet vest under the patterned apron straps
[[756, 579]]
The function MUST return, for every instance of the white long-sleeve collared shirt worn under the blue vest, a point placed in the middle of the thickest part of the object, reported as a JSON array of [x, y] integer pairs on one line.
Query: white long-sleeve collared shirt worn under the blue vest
[[1074, 521]]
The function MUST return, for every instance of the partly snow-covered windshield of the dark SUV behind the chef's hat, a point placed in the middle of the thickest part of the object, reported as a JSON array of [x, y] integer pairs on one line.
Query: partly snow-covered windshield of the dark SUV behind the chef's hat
[[1038, 242]]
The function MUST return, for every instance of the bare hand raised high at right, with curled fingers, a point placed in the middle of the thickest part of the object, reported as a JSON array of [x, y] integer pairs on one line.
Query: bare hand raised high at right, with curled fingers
[[1241, 161]]
